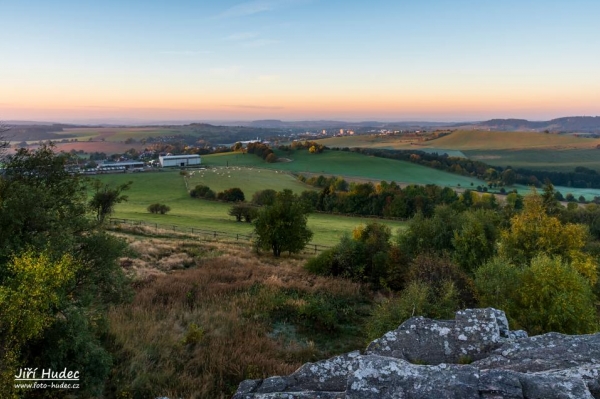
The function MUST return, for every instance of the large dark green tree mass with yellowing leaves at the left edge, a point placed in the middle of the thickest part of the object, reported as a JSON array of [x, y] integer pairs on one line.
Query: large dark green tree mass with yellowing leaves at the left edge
[[44, 210]]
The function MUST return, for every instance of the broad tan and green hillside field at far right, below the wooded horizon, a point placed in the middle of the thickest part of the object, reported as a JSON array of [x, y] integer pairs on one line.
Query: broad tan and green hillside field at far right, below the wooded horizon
[[517, 149]]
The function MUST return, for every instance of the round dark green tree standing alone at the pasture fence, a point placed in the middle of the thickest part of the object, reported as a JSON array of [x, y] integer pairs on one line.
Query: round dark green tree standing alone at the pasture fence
[[282, 226]]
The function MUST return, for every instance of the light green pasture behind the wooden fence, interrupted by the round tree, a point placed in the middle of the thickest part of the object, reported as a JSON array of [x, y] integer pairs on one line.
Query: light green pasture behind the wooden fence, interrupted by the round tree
[[169, 188]]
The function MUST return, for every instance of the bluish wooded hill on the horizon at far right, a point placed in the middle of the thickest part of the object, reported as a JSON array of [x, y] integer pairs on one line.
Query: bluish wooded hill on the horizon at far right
[[579, 124]]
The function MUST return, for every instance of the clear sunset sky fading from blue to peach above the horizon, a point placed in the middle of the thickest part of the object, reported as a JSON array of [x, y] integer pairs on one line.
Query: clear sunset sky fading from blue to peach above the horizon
[[435, 60]]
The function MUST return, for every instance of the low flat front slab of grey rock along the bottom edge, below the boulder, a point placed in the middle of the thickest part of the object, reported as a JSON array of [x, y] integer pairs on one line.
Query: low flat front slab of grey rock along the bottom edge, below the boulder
[[380, 377]]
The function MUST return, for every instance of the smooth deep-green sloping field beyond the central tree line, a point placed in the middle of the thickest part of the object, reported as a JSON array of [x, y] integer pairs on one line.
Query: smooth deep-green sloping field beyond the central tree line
[[347, 164]]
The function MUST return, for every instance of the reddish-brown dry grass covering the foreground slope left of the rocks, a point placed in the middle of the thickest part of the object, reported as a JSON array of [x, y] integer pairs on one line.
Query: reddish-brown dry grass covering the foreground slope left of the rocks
[[199, 323]]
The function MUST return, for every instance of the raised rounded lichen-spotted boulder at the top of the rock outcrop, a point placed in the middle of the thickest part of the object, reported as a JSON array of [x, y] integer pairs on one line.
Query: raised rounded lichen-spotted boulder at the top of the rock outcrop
[[471, 336]]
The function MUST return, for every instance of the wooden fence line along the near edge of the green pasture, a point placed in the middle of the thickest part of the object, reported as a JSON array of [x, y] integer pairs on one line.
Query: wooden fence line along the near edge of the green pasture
[[152, 228]]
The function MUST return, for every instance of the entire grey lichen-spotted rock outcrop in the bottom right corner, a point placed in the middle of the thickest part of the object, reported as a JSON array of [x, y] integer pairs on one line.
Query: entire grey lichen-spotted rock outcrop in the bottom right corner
[[473, 356]]
